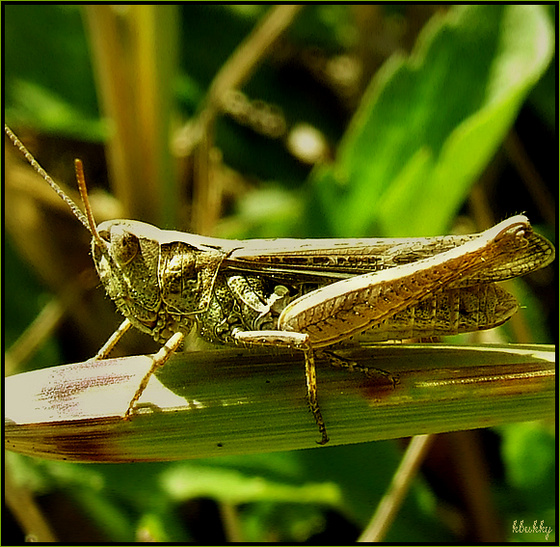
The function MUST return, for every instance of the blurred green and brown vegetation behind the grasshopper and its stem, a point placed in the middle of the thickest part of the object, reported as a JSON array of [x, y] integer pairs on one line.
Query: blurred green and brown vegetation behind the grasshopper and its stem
[[335, 121]]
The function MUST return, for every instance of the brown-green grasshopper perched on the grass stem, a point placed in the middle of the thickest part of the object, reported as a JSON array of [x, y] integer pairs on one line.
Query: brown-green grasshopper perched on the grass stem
[[300, 293]]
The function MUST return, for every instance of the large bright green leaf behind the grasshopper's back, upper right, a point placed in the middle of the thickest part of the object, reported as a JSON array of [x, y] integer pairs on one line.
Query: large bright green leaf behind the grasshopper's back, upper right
[[428, 125]]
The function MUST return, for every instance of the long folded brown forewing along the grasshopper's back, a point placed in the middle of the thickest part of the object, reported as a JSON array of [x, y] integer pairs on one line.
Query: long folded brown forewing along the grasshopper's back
[[327, 260]]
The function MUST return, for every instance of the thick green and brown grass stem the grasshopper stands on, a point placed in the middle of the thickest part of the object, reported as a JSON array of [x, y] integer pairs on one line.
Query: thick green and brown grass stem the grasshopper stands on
[[237, 401]]
